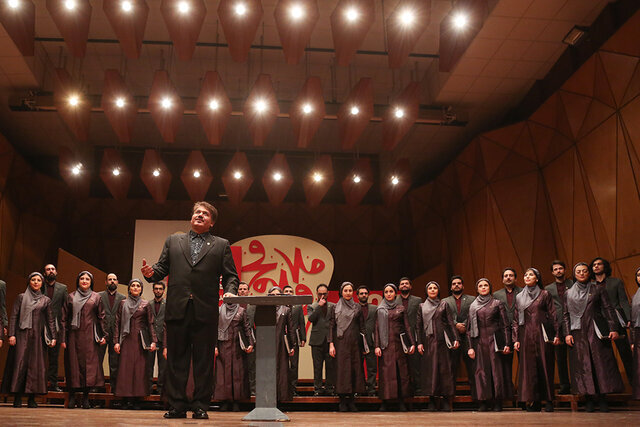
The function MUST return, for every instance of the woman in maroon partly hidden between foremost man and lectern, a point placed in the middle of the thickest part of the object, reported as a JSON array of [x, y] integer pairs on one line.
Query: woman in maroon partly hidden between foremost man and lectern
[[232, 369]]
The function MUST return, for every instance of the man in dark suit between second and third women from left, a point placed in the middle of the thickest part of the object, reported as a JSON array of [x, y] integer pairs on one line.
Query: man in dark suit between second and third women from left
[[111, 301]]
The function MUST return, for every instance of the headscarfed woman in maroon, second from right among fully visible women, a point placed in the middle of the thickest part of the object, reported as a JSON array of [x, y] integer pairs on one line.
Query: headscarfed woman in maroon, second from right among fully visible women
[[534, 316]]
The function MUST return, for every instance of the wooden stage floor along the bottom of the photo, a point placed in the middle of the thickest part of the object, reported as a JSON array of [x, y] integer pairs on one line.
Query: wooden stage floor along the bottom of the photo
[[104, 417]]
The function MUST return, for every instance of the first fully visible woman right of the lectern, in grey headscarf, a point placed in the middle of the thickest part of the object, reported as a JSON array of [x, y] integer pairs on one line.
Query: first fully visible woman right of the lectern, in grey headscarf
[[345, 326]]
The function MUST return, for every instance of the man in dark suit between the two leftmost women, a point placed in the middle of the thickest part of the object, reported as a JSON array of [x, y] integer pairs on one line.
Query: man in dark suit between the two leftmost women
[[57, 293]]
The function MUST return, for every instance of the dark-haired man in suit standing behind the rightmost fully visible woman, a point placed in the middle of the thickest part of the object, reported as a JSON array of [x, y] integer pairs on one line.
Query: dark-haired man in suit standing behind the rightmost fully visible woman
[[619, 300]]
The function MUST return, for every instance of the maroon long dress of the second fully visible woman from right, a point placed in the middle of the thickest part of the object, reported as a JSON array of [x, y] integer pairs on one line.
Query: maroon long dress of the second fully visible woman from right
[[536, 358]]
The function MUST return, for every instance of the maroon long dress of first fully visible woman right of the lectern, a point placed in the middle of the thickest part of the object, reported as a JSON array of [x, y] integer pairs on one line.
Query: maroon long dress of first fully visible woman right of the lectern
[[349, 374]]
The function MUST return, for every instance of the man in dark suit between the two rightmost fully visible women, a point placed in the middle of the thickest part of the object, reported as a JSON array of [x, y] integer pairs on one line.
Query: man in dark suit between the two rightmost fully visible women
[[557, 289]]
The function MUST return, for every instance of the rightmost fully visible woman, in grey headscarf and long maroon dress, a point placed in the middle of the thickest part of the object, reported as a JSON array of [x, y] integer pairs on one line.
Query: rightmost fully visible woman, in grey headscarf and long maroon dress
[[594, 371]]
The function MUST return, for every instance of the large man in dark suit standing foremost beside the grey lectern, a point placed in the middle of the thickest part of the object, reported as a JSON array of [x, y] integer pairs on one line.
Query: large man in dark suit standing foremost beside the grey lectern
[[195, 262]]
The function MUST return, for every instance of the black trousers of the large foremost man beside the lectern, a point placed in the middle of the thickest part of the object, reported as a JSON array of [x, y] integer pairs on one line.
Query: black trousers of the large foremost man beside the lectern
[[189, 340]]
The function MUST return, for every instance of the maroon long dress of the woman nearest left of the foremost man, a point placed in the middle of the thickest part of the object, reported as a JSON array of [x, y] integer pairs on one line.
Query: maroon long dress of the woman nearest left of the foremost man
[[133, 380]]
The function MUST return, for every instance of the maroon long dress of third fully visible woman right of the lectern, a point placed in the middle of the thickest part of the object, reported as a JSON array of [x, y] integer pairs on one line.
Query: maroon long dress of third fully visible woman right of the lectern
[[437, 372]]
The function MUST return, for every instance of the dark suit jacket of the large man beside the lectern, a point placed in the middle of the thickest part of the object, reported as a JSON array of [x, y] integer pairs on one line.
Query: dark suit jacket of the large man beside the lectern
[[199, 281]]
